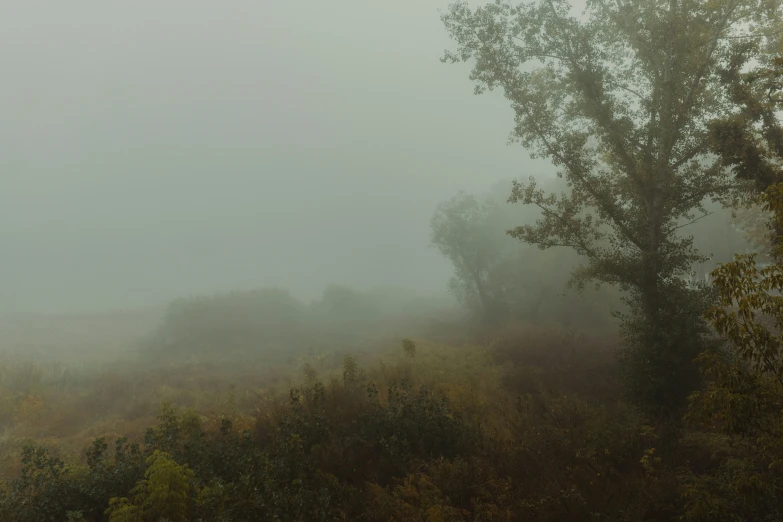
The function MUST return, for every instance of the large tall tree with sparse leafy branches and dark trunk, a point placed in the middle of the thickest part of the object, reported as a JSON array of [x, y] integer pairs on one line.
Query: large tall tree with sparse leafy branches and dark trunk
[[622, 99]]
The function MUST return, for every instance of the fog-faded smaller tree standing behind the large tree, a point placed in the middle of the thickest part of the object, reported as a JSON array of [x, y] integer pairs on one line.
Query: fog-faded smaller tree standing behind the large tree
[[500, 278]]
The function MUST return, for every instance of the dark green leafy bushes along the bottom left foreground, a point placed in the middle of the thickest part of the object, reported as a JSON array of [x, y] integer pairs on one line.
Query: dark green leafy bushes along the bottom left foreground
[[305, 463]]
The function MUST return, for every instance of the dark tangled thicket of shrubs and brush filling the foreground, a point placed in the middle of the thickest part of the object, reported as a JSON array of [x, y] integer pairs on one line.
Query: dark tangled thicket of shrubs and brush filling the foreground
[[541, 442]]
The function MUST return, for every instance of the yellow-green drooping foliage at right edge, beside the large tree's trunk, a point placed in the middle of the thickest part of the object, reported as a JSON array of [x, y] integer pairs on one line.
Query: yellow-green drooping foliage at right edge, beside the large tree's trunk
[[739, 408]]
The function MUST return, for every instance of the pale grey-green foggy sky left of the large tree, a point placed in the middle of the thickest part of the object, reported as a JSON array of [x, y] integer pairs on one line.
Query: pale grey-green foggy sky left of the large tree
[[158, 148]]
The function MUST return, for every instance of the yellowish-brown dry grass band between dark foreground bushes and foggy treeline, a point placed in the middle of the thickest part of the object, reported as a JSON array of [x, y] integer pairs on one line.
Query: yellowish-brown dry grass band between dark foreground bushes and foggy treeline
[[67, 405]]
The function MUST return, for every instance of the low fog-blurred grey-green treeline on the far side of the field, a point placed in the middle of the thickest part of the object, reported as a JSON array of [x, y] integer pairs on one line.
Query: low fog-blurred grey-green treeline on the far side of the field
[[271, 322]]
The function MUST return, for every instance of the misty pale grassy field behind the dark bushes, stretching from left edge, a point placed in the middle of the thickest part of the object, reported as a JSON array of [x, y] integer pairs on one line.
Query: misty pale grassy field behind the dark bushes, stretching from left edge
[[65, 380]]
